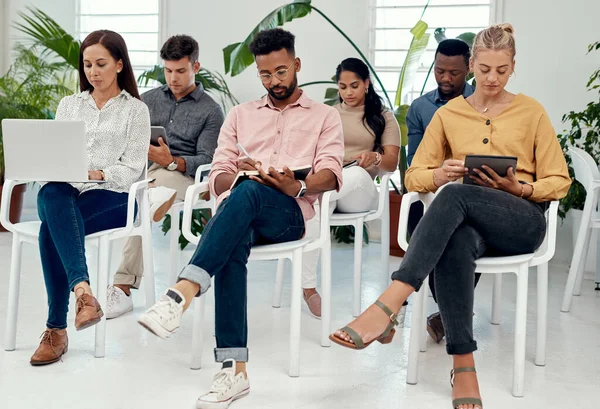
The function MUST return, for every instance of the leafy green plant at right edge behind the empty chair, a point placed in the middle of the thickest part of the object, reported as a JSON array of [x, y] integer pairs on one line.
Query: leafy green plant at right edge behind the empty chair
[[585, 134]]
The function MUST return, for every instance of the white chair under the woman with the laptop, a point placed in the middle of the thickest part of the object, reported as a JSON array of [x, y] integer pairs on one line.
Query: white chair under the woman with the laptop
[[27, 232]]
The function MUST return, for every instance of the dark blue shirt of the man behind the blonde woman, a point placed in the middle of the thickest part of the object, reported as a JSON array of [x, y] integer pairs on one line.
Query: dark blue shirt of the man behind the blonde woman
[[419, 115]]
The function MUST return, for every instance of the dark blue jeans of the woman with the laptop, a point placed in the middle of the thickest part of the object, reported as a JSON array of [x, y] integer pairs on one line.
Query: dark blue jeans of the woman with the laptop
[[67, 217]]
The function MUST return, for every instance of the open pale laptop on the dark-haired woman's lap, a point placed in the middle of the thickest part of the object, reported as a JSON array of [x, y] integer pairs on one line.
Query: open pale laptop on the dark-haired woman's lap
[[45, 150]]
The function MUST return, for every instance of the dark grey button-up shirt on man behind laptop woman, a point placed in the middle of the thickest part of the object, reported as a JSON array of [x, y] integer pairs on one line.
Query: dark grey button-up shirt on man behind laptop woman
[[192, 124]]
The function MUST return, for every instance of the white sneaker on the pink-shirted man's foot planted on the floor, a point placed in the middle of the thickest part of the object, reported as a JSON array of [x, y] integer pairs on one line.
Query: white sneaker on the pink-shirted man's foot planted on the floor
[[226, 387]]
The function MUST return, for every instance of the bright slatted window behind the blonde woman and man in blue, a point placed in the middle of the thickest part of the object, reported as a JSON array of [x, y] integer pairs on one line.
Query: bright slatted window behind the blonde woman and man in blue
[[390, 36]]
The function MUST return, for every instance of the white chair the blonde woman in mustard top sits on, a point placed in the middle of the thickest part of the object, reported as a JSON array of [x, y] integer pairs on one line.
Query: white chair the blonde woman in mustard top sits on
[[519, 265]]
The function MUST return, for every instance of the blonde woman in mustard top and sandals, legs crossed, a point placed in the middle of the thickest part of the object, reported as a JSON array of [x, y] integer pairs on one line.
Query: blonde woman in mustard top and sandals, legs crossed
[[497, 215]]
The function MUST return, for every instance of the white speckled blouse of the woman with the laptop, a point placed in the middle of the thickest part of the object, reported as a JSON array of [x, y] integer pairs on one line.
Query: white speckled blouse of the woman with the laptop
[[118, 136]]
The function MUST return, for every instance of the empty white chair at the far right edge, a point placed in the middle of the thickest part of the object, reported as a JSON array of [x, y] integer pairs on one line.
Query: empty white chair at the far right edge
[[587, 173]]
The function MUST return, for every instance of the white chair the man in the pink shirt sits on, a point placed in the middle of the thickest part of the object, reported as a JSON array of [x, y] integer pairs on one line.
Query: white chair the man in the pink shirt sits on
[[291, 250]]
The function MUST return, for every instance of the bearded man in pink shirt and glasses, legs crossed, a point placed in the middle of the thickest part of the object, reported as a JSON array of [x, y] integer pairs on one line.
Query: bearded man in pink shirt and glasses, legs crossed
[[285, 129]]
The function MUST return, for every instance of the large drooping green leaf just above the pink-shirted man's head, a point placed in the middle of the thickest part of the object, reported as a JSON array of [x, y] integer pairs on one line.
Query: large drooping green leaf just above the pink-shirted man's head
[[237, 57]]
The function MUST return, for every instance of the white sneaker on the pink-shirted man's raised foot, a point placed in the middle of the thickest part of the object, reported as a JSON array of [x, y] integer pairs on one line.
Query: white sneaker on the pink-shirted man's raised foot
[[164, 317]]
